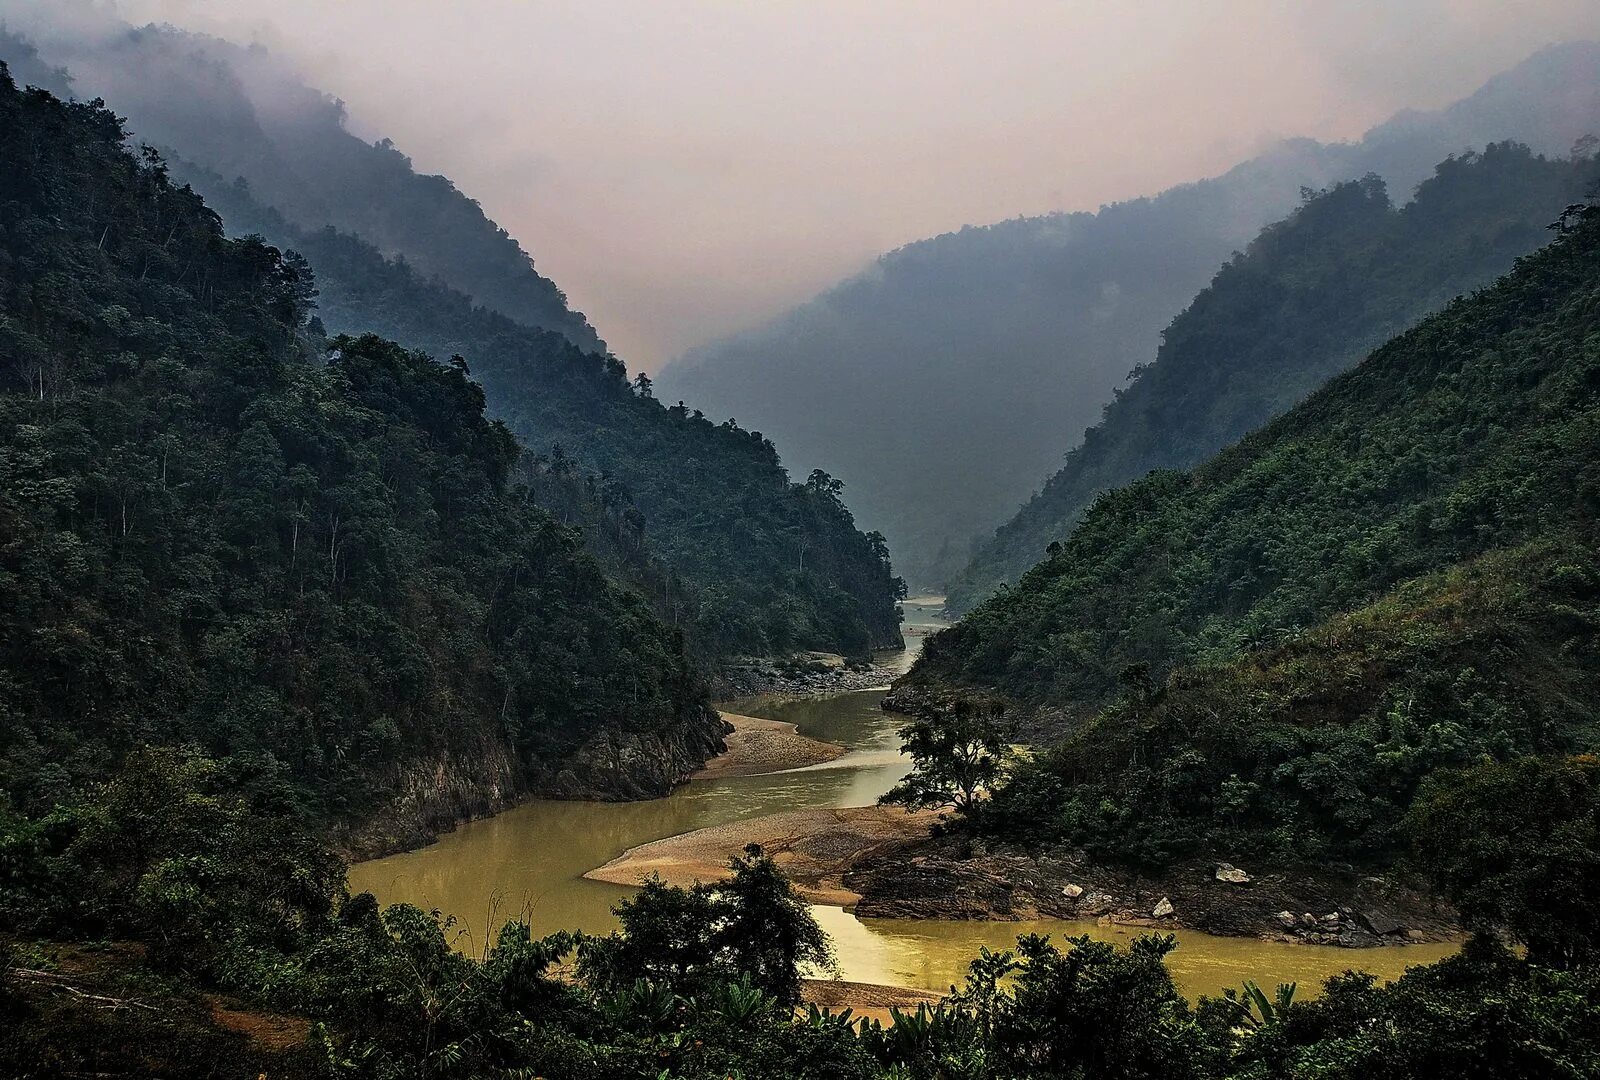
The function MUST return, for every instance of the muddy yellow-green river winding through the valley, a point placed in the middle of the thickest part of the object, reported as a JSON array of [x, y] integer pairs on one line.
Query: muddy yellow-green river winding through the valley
[[530, 863]]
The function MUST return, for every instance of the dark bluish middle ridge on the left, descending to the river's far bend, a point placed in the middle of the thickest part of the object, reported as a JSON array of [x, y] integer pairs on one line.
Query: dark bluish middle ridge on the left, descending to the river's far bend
[[761, 566]]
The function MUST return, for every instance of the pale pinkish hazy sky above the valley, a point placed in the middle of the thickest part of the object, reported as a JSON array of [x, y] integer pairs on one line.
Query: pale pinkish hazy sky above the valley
[[686, 169]]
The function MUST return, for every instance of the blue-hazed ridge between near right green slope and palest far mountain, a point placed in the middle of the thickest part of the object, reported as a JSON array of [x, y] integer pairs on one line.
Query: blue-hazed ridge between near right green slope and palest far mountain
[[1308, 298]]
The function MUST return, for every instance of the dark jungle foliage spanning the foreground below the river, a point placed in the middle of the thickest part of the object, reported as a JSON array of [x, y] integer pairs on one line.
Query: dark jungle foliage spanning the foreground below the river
[[174, 922]]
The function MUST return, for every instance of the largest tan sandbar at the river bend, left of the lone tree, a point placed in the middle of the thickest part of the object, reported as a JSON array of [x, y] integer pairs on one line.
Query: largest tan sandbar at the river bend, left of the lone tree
[[814, 847]]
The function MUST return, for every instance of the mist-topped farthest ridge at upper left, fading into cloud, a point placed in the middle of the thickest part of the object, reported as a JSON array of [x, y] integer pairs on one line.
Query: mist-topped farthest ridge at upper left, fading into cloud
[[242, 113]]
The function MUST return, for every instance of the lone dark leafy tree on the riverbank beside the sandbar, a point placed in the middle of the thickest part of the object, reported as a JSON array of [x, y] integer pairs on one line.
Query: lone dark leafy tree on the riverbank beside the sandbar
[[956, 756]]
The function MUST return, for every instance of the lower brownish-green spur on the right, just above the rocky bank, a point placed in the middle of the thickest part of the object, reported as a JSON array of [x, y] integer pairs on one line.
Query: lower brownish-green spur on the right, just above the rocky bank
[[1316, 748]]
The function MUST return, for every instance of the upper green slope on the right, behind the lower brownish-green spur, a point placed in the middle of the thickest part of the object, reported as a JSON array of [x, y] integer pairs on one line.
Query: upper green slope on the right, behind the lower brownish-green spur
[[1474, 431]]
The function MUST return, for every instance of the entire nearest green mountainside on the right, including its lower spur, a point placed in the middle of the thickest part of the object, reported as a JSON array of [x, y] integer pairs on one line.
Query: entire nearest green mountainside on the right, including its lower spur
[[1273, 654]]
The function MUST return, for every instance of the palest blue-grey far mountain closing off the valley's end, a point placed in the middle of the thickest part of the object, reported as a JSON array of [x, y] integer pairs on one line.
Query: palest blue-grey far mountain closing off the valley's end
[[946, 380]]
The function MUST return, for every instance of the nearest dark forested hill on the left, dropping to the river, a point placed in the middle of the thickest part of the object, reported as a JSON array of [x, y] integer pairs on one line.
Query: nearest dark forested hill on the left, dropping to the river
[[313, 562]]
